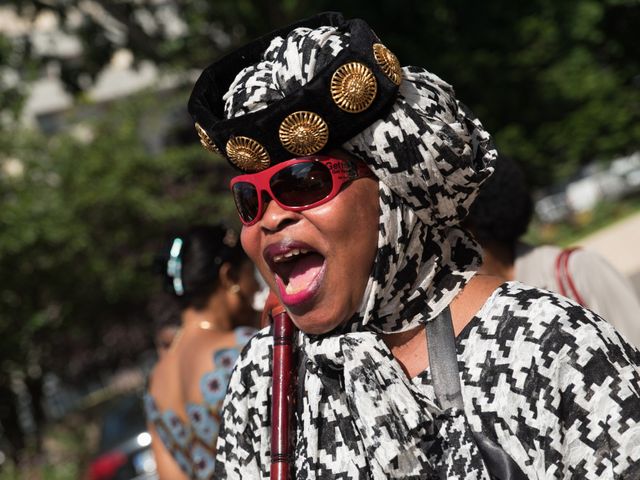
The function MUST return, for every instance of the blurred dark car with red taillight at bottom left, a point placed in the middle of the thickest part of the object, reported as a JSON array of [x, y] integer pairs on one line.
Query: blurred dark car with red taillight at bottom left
[[124, 451]]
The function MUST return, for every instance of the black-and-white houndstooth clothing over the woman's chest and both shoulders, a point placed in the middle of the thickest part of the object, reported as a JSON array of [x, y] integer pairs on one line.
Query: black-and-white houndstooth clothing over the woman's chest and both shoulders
[[550, 382]]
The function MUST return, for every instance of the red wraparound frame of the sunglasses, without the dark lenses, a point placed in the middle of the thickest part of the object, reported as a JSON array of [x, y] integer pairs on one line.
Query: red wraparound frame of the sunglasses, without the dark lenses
[[341, 171]]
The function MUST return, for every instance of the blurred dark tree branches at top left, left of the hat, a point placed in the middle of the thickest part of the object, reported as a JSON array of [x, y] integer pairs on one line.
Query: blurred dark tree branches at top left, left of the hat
[[173, 34]]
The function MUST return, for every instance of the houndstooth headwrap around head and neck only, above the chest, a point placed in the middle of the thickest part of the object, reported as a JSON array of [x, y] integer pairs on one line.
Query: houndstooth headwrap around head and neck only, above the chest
[[430, 155]]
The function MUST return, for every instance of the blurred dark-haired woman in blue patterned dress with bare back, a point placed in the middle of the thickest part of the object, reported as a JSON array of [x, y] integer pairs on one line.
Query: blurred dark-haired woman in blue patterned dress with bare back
[[214, 283]]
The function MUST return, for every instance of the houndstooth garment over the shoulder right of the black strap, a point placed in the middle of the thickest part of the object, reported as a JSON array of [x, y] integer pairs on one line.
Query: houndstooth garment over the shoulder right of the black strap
[[554, 384]]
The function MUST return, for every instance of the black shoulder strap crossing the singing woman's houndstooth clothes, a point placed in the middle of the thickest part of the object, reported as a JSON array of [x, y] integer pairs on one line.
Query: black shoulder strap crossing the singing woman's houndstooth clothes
[[443, 362]]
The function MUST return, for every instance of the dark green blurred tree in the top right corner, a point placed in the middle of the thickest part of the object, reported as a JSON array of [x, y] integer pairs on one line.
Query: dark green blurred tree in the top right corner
[[557, 83]]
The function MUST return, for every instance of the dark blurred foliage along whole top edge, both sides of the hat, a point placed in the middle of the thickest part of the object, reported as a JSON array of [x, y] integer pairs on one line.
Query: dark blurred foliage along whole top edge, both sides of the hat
[[558, 83]]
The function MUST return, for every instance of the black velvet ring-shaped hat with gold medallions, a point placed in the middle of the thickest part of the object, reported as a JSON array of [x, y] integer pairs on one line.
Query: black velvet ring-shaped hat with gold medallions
[[352, 91]]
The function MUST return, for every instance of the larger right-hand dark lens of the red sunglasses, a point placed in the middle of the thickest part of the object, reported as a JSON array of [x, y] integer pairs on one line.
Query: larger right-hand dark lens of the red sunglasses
[[301, 184]]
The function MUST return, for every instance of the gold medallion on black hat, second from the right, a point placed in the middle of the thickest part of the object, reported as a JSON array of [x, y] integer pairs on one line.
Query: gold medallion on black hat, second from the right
[[353, 87]]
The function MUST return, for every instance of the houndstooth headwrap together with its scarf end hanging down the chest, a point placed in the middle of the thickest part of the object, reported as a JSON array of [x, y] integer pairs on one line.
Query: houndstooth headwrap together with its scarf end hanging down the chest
[[430, 155]]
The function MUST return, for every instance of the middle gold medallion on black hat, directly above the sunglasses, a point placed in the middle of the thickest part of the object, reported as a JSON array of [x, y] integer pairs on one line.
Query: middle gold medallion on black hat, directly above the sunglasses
[[303, 133]]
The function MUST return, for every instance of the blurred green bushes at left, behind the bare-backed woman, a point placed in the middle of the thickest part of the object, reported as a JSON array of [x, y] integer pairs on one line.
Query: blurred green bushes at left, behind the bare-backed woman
[[83, 213]]
